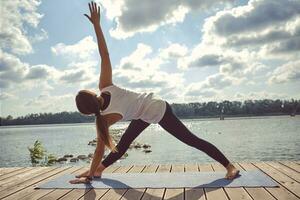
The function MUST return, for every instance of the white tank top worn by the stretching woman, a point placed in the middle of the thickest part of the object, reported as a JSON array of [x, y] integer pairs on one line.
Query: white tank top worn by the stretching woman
[[133, 105]]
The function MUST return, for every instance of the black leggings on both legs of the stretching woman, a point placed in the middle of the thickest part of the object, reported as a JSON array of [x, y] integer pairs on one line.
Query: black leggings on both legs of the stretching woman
[[174, 126]]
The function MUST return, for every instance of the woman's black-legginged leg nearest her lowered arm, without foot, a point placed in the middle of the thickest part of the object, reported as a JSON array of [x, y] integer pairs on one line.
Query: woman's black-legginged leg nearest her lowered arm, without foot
[[134, 129]]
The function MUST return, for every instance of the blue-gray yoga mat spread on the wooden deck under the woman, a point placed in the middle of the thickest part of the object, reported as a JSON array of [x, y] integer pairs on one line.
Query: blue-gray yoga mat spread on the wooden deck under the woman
[[253, 178]]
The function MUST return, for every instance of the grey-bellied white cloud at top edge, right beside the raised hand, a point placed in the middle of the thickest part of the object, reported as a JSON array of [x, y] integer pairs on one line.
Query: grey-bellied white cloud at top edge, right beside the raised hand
[[133, 16]]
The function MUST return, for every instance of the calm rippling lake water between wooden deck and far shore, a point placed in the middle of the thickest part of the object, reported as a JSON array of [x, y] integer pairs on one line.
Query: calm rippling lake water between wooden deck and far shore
[[240, 139]]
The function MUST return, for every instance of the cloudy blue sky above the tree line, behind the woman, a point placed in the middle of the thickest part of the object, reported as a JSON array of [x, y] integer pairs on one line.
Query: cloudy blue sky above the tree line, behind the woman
[[181, 50]]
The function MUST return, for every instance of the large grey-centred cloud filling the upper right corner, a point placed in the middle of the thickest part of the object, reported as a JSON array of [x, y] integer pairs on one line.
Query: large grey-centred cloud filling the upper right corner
[[266, 27]]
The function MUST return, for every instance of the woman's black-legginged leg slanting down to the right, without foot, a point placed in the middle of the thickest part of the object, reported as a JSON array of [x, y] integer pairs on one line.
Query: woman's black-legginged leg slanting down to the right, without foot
[[174, 126]]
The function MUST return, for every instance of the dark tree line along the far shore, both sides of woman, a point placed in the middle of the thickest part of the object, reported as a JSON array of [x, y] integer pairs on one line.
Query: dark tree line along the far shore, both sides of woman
[[182, 110]]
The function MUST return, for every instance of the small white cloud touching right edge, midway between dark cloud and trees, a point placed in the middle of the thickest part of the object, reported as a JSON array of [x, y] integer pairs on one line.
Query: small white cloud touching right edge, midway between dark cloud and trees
[[289, 72]]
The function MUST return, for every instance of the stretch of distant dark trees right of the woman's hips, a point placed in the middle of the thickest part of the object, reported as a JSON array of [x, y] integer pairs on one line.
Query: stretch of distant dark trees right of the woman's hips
[[237, 108]]
